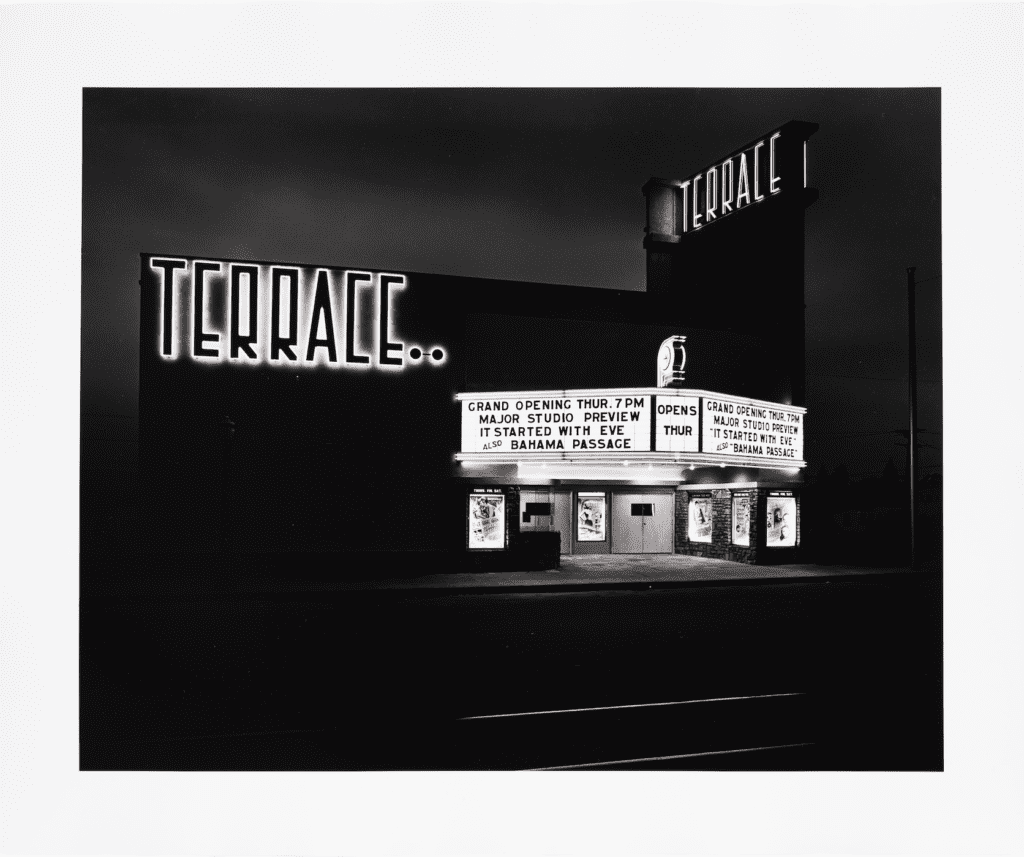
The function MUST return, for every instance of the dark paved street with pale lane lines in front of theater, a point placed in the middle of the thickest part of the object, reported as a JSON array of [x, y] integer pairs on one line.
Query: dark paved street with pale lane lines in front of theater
[[843, 672]]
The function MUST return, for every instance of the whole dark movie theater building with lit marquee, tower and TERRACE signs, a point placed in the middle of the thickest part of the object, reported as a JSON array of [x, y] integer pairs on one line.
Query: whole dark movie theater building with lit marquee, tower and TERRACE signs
[[339, 413]]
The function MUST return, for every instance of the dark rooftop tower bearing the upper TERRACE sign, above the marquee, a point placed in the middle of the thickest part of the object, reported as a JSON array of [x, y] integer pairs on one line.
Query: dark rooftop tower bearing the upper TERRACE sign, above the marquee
[[726, 245]]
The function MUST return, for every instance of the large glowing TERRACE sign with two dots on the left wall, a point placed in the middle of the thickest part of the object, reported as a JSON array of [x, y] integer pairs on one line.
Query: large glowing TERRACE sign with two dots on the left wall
[[282, 316]]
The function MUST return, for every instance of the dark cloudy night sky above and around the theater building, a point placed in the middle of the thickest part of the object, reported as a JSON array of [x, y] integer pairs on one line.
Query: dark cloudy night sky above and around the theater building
[[522, 185]]
